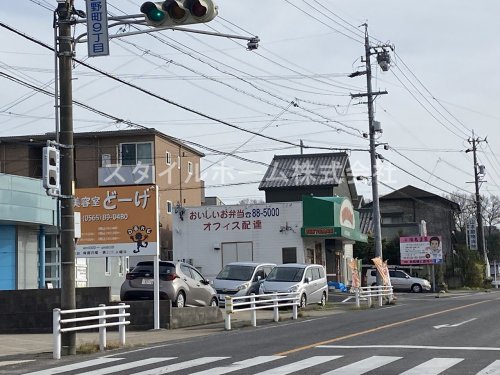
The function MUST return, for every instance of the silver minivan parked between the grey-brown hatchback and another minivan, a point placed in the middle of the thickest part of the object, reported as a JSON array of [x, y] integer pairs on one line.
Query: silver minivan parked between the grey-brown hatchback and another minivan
[[240, 279]]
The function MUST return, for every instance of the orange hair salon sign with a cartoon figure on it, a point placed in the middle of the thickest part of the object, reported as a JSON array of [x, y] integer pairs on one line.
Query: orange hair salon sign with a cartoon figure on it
[[118, 221]]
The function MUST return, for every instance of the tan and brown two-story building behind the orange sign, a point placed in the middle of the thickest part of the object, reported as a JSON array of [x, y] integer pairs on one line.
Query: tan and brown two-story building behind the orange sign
[[117, 158]]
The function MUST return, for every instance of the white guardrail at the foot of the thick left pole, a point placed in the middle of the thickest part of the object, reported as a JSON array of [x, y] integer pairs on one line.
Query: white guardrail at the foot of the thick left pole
[[102, 324]]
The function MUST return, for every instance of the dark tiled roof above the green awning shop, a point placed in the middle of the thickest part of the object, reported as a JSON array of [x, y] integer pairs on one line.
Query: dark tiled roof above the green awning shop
[[304, 170]]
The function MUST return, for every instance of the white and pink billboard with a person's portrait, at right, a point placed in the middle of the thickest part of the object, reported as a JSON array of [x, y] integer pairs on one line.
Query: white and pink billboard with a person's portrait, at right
[[421, 250]]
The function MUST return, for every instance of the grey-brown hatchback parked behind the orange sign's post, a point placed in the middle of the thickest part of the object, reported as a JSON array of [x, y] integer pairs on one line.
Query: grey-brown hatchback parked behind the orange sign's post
[[179, 282]]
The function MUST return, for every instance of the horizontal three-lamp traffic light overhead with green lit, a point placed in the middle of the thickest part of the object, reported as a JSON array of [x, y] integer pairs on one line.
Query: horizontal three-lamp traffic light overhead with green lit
[[178, 12]]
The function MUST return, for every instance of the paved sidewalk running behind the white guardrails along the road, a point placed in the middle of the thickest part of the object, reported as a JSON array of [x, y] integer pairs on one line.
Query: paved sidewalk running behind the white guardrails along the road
[[12, 345]]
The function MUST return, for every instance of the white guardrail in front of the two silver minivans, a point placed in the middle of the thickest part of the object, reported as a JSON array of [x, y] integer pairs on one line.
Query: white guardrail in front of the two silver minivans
[[258, 302]]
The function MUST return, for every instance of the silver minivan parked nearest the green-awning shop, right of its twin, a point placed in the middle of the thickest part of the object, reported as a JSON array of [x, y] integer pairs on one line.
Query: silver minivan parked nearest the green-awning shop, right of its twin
[[308, 280]]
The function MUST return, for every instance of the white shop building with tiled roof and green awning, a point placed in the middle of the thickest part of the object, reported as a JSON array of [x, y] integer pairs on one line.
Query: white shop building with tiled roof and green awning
[[308, 217]]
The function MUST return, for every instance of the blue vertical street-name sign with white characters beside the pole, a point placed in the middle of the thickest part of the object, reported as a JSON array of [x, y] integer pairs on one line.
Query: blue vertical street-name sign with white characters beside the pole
[[97, 28]]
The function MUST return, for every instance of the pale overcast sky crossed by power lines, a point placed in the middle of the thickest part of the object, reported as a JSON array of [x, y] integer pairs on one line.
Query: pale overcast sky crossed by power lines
[[442, 87]]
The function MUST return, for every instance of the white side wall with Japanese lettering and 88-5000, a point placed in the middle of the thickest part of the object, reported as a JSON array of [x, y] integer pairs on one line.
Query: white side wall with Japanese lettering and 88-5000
[[204, 228]]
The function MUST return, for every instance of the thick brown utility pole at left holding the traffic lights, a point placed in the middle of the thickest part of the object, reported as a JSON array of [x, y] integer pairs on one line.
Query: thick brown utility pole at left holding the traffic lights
[[65, 54]]
